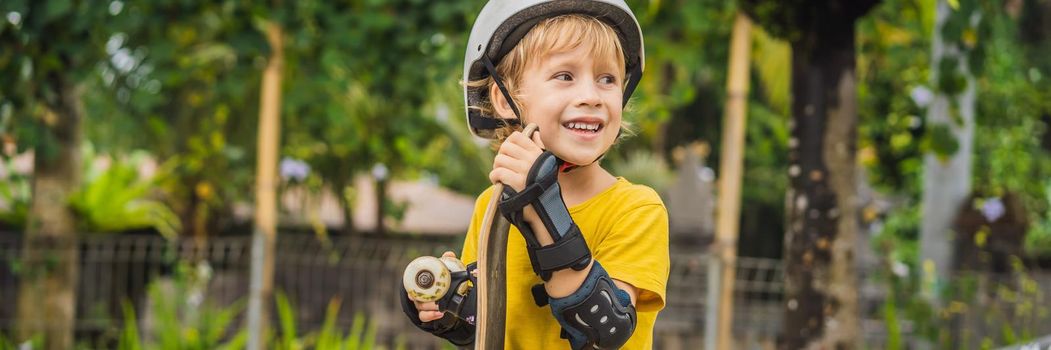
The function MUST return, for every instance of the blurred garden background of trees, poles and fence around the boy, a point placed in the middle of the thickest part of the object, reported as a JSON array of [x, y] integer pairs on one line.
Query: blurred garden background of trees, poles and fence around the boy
[[893, 171]]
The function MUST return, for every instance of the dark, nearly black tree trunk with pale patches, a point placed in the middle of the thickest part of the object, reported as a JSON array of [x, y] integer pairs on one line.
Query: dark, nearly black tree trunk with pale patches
[[821, 295]]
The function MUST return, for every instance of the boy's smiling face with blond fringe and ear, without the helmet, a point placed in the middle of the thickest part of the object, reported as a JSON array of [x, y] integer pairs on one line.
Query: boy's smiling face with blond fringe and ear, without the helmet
[[571, 85]]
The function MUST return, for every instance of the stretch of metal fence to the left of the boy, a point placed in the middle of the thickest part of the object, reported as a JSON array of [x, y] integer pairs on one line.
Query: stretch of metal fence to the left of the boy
[[363, 273]]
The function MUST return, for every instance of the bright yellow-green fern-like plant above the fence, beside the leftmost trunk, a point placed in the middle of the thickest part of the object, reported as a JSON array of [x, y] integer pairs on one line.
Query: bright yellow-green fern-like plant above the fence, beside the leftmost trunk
[[117, 199]]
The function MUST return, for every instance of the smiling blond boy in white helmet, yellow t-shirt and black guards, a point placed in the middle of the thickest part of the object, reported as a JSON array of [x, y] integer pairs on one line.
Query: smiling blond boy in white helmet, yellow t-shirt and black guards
[[588, 257]]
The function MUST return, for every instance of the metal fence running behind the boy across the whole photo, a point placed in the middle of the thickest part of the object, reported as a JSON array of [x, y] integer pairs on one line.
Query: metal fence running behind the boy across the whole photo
[[364, 274]]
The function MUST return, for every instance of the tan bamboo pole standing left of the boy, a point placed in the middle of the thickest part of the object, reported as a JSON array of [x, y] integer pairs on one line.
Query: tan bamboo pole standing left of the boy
[[266, 207]]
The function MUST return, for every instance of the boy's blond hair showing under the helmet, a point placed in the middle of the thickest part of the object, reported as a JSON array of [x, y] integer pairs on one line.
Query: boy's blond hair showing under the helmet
[[555, 35]]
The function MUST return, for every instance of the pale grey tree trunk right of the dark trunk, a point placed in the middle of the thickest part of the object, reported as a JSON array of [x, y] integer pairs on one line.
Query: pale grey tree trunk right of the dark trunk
[[947, 178]]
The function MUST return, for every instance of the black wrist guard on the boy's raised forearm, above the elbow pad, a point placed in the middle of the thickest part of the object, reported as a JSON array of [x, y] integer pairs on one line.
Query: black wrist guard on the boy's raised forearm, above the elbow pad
[[543, 193]]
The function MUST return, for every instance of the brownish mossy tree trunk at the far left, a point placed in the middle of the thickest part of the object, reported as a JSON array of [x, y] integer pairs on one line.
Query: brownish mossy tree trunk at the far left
[[47, 299]]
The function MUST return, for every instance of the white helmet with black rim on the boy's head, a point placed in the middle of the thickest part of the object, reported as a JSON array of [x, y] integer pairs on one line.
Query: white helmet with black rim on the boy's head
[[503, 24]]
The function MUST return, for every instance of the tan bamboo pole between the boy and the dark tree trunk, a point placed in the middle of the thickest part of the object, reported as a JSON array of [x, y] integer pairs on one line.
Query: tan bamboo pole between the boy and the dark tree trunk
[[730, 181]]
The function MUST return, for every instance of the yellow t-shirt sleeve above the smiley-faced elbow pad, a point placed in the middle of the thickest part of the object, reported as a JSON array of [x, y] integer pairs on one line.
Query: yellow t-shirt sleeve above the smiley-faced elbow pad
[[636, 252]]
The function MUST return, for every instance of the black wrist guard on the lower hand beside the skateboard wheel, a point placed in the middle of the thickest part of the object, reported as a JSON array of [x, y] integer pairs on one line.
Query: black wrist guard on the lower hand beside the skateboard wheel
[[458, 324]]
